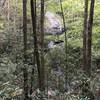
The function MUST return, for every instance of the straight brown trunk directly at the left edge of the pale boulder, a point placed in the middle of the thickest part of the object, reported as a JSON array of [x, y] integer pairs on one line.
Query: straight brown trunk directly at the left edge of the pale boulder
[[42, 80]]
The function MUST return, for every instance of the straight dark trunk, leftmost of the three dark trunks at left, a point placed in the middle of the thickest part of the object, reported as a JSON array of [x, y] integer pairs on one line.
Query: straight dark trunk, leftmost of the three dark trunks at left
[[25, 72]]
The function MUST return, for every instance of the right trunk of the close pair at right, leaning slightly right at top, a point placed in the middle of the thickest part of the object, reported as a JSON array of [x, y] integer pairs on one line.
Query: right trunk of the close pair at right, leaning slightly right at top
[[89, 39]]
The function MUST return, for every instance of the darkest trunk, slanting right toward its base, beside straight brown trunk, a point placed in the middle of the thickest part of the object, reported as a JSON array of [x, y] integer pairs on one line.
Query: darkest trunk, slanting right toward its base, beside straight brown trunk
[[36, 53]]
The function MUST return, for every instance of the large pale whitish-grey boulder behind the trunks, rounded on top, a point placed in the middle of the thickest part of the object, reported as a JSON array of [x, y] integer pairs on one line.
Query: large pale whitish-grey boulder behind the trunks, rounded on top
[[53, 24]]
